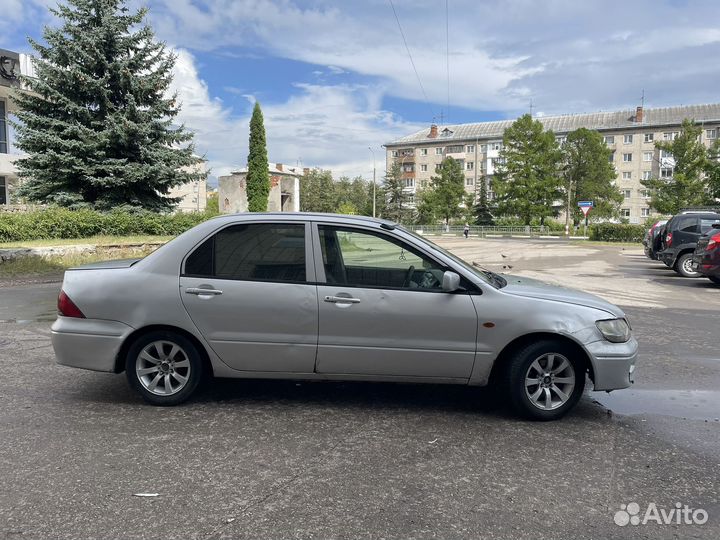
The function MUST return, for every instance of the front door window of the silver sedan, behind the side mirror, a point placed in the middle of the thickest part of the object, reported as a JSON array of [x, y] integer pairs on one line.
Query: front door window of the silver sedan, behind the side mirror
[[363, 259]]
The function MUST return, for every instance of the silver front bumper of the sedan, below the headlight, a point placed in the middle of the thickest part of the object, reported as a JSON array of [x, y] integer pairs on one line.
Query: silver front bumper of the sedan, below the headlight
[[613, 363]]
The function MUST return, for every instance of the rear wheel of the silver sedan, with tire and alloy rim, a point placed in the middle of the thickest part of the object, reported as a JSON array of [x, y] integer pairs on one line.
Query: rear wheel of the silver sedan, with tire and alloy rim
[[158, 359]]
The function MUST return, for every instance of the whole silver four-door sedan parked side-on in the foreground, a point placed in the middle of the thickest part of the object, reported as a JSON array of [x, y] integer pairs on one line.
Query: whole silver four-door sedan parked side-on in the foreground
[[313, 297]]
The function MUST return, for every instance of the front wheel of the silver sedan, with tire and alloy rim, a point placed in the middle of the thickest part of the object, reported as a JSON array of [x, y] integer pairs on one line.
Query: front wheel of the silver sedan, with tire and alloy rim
[[530, 362]]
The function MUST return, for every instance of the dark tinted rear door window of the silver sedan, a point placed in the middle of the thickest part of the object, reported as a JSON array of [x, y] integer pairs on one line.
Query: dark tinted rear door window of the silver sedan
[[256, 252]]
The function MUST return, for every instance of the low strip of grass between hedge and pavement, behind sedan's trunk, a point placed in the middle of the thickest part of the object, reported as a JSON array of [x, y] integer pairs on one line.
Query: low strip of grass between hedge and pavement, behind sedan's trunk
[[32, 266]]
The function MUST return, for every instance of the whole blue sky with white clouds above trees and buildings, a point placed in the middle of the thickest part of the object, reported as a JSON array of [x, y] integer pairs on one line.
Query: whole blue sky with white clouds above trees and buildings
[[335, 80]]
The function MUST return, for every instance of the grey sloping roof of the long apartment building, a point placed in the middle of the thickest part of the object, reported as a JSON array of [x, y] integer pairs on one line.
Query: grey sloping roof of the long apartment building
[[565, 123]]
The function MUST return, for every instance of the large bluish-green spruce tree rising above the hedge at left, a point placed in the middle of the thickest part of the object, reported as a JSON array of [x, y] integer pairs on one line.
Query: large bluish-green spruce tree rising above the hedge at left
[[98, 123]]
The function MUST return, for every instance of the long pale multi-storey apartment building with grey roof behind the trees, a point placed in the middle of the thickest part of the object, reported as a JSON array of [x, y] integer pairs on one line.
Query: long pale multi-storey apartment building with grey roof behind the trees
[[630, 134]]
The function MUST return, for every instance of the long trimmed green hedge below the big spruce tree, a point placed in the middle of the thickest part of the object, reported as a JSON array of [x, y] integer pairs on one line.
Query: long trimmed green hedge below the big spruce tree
[[56, 223]]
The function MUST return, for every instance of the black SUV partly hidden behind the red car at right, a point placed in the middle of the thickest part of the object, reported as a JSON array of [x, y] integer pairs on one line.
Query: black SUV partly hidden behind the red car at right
[[681, 235]]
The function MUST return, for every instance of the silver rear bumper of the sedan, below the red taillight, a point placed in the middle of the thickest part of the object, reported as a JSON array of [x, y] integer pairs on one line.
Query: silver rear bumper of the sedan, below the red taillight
[[88, 343]]
